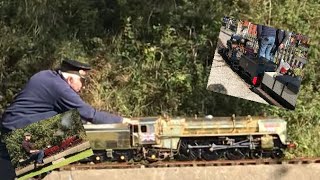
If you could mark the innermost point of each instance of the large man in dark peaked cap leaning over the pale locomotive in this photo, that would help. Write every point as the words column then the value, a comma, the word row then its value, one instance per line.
column 48, row 93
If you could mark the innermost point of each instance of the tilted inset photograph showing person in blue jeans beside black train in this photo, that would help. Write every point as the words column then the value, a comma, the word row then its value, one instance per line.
column 259, row 63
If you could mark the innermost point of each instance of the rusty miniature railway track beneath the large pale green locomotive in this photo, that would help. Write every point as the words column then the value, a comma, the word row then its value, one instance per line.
column 189, row 164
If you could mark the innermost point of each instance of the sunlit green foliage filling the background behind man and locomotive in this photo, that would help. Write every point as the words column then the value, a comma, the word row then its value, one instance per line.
column 150, row 56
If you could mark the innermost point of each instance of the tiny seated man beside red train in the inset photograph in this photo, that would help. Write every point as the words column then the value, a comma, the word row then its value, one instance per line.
column 33, row 154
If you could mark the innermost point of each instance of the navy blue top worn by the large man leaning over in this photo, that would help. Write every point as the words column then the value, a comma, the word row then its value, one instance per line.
column 48, row 94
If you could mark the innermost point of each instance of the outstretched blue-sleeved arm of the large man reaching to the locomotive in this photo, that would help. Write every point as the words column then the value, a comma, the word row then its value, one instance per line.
column 71, row 100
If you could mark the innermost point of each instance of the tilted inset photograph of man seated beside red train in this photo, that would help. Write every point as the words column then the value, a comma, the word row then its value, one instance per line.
column 48, row 144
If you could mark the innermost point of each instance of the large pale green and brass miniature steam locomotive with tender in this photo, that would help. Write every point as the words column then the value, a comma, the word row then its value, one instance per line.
column 156, row 139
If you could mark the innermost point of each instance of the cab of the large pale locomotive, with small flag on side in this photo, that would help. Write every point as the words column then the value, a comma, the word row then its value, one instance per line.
column 143, row 131
